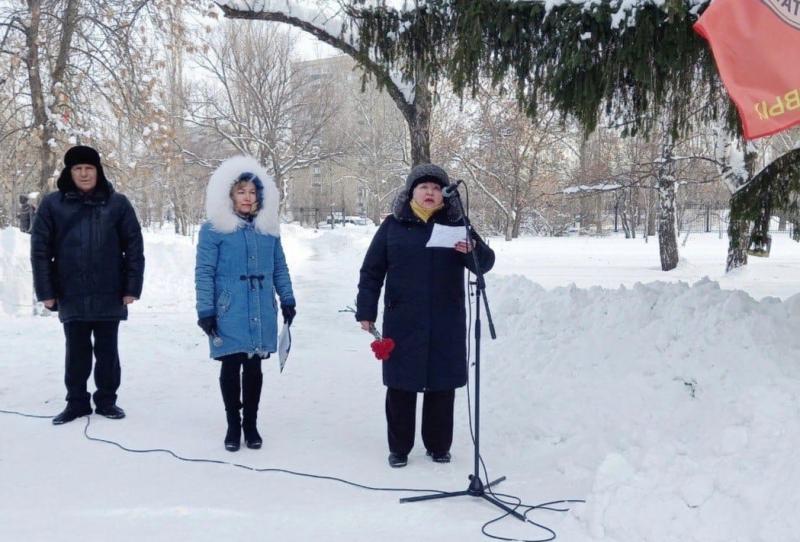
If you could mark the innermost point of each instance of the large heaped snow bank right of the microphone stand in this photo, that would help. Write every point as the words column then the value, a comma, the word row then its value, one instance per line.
column 679, row 404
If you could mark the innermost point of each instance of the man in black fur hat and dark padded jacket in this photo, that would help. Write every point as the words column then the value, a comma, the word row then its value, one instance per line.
column 88, row 264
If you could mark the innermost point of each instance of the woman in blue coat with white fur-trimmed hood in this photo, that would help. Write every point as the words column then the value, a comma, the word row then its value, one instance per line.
column 239, row 270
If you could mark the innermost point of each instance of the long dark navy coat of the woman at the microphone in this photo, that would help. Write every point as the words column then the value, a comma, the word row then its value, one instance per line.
column 424, row 309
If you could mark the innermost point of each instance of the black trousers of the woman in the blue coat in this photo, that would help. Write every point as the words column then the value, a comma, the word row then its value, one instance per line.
column 241, row 376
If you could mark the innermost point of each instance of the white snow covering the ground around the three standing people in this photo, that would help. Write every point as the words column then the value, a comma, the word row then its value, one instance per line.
column 672, row 407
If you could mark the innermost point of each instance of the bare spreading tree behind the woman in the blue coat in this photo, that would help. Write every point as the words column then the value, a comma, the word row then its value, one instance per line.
column 257, row 101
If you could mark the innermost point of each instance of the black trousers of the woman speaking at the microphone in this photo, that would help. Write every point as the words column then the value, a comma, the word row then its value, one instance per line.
column 437, row 420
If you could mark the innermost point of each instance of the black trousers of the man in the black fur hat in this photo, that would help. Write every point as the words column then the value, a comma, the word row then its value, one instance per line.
column 79, row 362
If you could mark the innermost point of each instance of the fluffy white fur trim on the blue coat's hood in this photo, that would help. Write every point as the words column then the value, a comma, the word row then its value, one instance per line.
column 219, row 206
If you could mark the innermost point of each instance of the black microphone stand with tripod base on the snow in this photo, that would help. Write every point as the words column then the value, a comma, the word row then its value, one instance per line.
column 477, row 488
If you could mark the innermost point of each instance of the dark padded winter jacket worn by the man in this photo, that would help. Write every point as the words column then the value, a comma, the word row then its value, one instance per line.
column 87, row 252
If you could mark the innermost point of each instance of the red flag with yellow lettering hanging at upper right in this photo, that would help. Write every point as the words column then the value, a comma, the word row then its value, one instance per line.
column 755, row 45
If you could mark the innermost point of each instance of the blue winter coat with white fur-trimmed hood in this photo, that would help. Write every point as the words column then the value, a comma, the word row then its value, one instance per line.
column 241, row 266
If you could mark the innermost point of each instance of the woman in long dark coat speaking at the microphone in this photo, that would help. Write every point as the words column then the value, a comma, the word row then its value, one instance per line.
column 424, row 312
